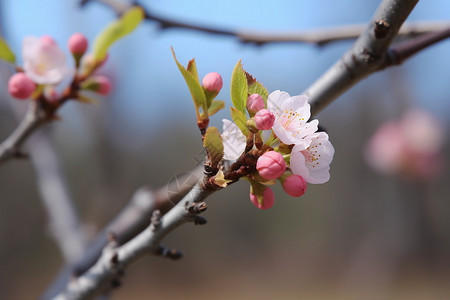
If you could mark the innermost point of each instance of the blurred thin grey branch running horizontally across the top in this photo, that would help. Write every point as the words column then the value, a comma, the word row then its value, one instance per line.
column 315, row 36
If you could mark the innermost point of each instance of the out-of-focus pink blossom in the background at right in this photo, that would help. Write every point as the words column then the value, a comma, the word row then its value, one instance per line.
column 410, row 147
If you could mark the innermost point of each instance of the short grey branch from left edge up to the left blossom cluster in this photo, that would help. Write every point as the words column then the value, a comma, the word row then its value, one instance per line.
column 10, row 148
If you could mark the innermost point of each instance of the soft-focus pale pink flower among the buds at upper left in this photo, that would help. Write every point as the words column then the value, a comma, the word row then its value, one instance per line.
column 44, row 61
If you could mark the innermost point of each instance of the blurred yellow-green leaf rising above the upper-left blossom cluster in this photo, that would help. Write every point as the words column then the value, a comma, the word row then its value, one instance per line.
column 116, row 30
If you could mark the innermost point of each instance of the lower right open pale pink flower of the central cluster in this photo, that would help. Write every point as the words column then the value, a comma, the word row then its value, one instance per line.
column 313, row 162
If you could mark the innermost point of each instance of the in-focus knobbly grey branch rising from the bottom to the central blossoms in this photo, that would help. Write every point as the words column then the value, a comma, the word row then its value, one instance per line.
column 109, row 267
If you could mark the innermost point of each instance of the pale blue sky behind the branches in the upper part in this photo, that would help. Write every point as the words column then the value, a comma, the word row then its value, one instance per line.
column 148, row 83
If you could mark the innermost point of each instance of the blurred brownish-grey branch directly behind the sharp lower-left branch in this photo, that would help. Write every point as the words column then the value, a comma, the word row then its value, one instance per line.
column 134, row 218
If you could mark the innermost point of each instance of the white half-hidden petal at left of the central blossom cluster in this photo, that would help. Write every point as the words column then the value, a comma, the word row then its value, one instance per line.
column 234, row 140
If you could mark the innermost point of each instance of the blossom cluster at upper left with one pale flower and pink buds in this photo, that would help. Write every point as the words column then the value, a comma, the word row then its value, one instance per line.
column 45, row 66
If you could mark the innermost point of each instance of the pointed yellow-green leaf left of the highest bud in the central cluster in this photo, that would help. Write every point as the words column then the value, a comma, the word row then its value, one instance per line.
column 191, row 78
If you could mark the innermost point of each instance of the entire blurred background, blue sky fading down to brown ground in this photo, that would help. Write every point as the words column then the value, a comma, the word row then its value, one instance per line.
column 362, row 235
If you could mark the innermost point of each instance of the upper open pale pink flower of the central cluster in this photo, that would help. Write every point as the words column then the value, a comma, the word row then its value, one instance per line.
column 291, row 118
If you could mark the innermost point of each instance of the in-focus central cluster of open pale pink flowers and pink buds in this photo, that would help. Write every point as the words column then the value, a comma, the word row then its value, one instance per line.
column 296, row 154
